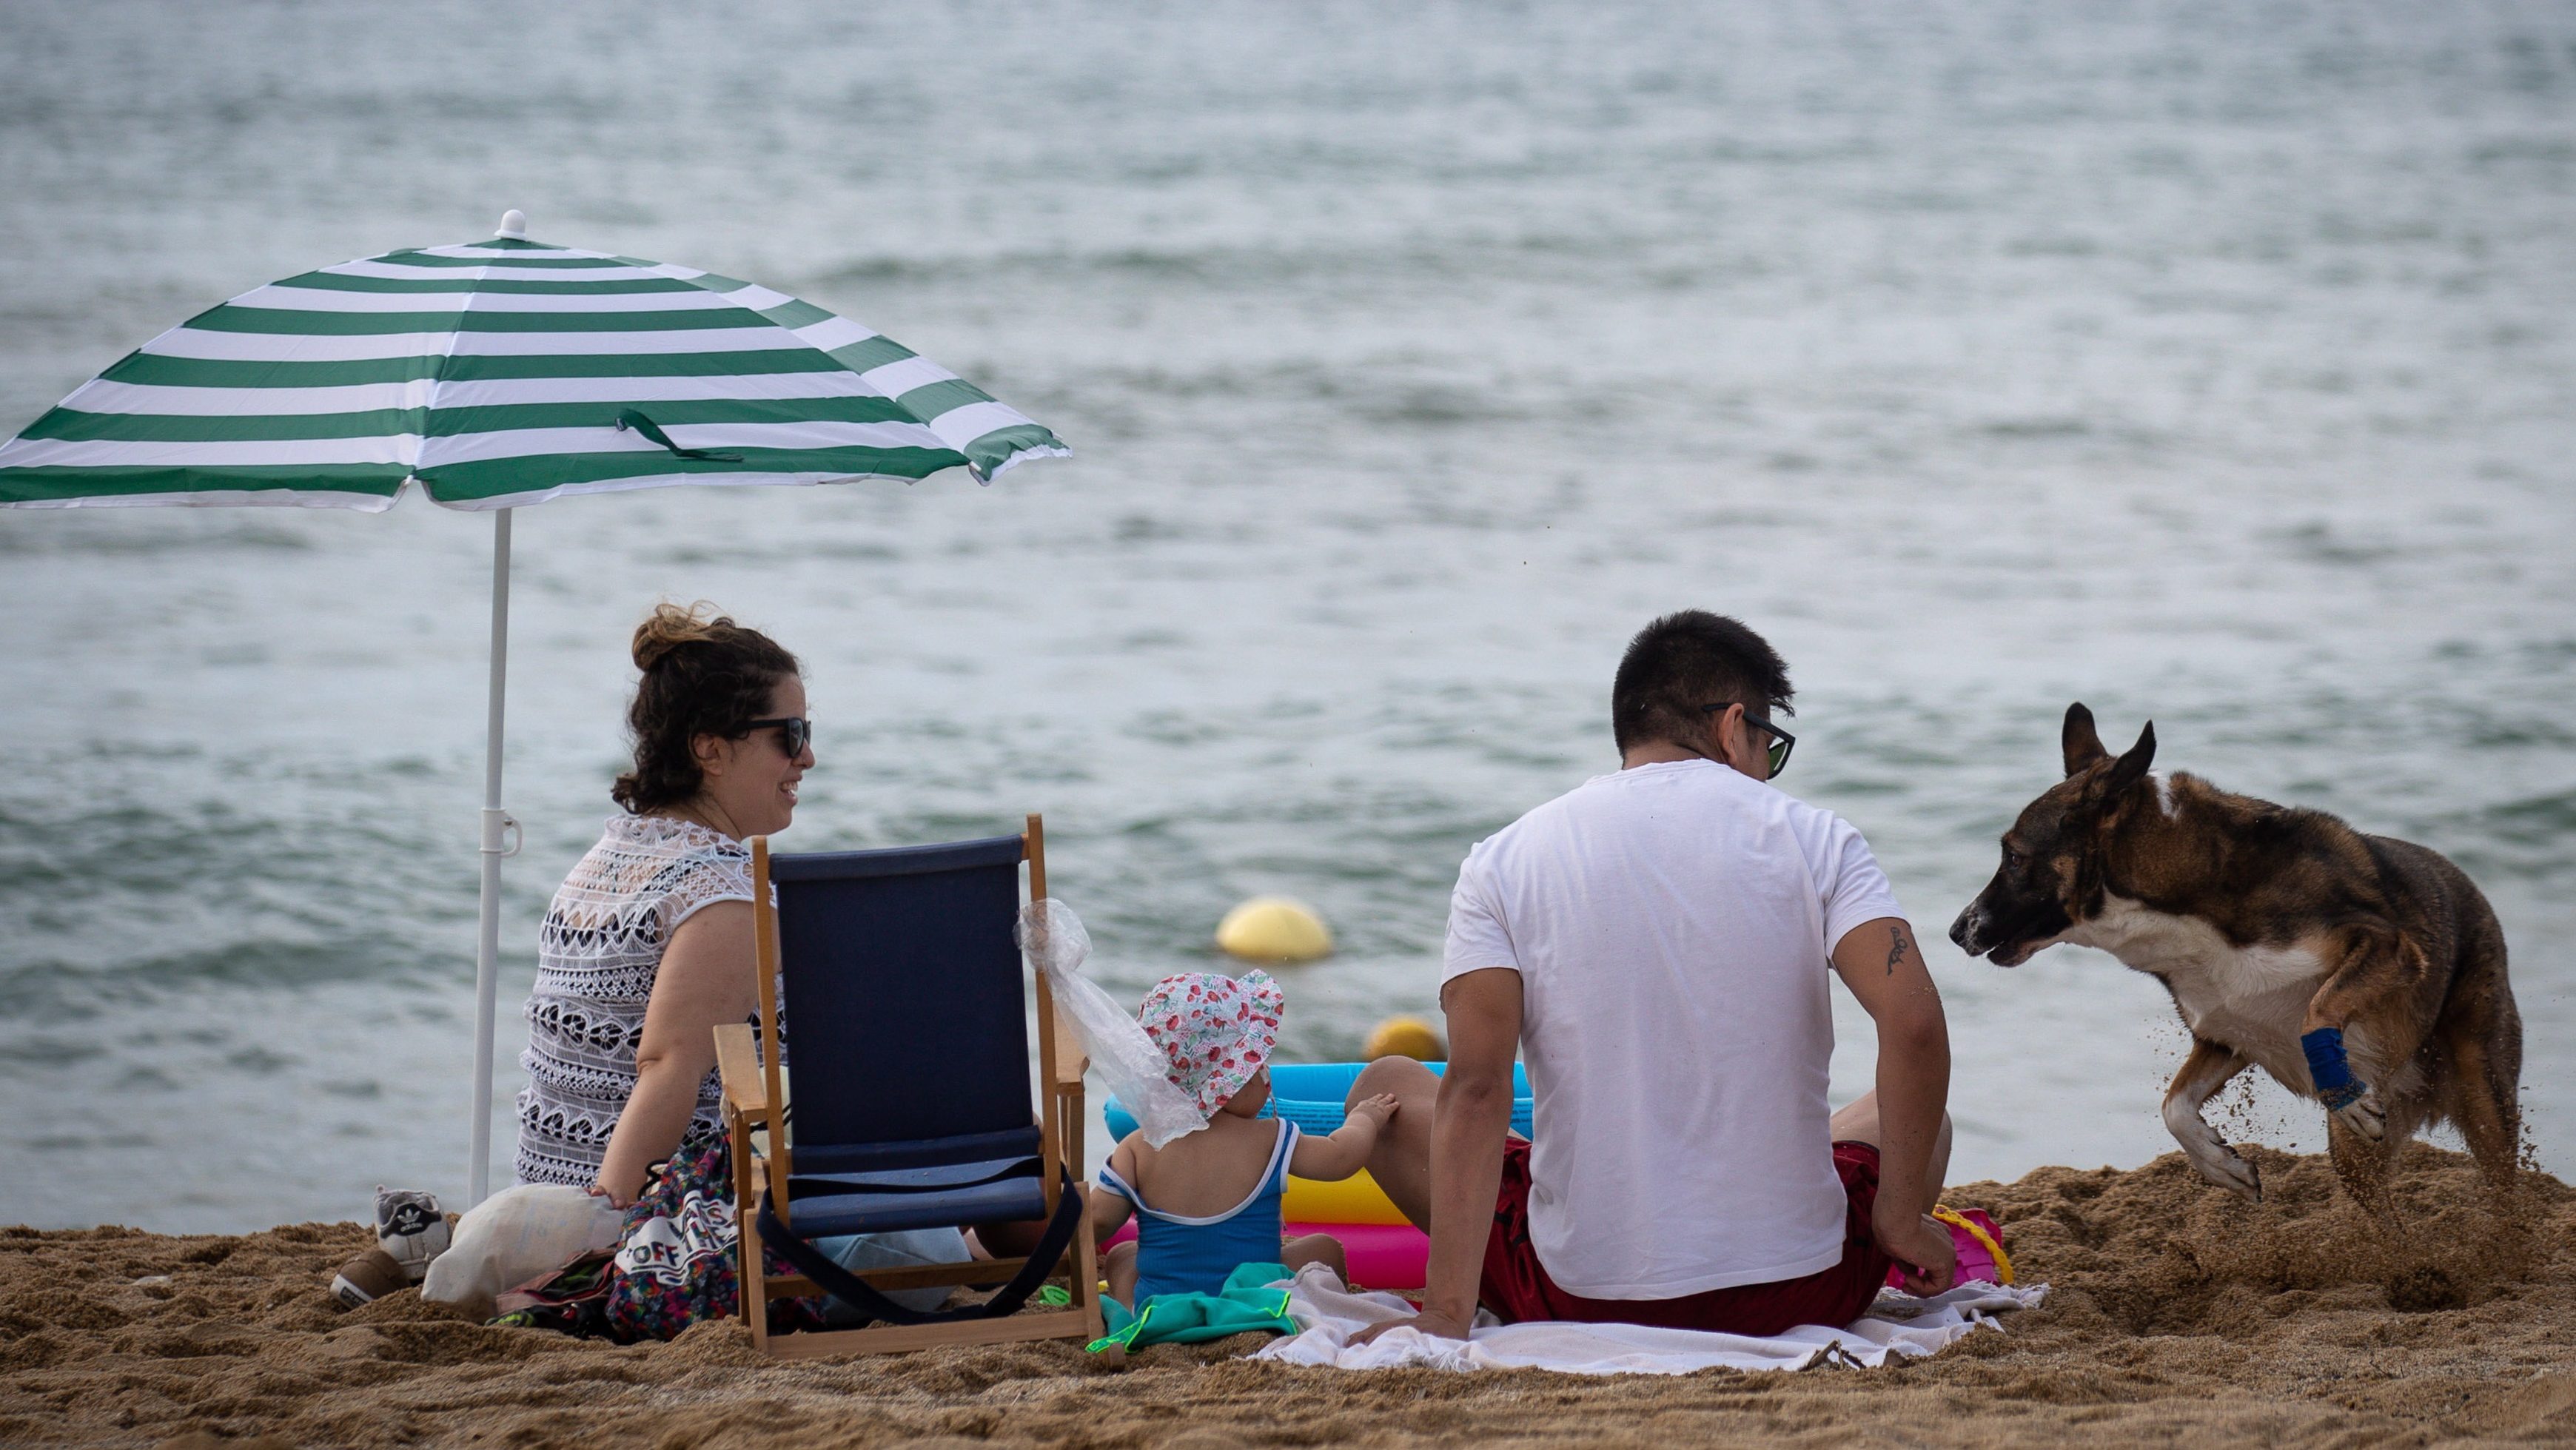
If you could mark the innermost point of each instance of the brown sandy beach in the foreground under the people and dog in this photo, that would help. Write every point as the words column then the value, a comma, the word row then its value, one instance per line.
column 2178, row 1315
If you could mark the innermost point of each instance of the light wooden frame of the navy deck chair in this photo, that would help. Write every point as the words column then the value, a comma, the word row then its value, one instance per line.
column 753, row 1086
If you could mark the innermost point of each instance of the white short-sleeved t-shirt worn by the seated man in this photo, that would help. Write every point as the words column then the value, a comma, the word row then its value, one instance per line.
column 1673, row 931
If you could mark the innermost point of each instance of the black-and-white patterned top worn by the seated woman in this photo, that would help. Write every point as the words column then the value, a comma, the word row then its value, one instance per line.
column 596, row 962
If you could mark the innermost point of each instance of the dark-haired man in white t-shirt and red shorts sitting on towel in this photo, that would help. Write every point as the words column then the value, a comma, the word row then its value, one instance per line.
column 1658, row 946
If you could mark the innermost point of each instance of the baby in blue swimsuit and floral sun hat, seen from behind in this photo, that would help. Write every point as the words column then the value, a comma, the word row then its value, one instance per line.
column 1212, row 1199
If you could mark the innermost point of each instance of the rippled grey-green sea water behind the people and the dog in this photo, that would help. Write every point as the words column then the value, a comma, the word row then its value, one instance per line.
column 2206, row 364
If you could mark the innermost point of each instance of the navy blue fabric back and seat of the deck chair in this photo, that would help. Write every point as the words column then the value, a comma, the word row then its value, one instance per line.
column 911, row 1039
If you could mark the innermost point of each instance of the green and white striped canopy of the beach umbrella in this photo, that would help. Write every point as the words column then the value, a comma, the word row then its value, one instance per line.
column 504, row 375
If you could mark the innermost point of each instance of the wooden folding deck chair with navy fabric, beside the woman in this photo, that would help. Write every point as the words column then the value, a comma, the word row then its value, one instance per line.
column 911, row 1109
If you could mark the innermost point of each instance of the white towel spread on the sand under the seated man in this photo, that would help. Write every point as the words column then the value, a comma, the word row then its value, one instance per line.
column 1897, row 1325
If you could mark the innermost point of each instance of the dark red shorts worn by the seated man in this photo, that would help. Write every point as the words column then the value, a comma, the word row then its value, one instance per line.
column 1516, row 1284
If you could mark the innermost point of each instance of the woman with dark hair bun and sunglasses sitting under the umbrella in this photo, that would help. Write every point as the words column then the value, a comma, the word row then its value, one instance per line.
column 650, row 941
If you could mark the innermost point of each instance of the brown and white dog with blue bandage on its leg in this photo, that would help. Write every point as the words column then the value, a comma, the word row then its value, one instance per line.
column 2273, row 926
